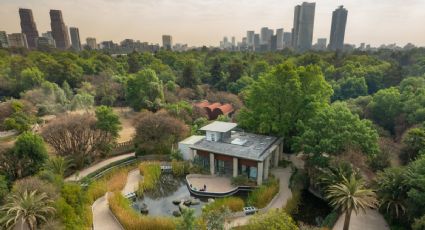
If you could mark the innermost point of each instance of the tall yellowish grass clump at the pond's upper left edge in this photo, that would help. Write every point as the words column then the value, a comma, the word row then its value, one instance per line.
column 151, row 172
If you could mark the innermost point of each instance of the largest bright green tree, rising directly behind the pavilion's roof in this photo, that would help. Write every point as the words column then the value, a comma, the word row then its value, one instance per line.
column 282, row 97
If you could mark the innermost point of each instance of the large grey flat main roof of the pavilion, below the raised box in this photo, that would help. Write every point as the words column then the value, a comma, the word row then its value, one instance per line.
column 245, row 145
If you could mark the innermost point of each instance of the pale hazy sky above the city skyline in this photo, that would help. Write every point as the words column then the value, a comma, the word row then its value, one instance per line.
column 205, row 22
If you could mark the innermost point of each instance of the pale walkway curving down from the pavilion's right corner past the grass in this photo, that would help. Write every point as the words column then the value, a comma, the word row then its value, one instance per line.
column 278, row 202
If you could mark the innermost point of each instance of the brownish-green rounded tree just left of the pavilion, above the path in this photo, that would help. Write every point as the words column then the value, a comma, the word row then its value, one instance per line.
column 157, row 133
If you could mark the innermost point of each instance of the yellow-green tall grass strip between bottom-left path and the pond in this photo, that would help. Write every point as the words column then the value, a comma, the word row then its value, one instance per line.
column 131, row 220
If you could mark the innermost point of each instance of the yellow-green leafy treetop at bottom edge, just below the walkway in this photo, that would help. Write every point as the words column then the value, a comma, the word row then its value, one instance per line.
column 273, row 219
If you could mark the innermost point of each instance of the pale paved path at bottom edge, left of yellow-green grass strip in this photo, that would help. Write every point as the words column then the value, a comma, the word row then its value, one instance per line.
column 102, row 216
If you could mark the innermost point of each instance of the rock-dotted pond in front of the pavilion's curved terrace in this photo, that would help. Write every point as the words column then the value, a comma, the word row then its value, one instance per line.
column 160, row 201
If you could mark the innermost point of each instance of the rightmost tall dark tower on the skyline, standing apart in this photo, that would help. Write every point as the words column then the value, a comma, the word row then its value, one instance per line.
column 339, row 21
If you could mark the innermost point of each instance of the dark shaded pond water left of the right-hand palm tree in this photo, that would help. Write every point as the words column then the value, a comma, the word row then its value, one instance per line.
column 312, row 210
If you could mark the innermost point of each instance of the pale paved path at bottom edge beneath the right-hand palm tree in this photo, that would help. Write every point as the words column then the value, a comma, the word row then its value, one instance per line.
column 371, row 220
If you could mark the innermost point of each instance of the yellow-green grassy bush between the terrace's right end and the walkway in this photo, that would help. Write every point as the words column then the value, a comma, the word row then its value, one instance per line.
column 262, row 195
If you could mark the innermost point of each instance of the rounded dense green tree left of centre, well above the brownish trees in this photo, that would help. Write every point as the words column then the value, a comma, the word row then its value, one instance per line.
column 144, row 91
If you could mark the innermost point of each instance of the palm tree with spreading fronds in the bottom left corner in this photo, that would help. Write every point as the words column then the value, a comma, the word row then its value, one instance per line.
column 31, row 208
